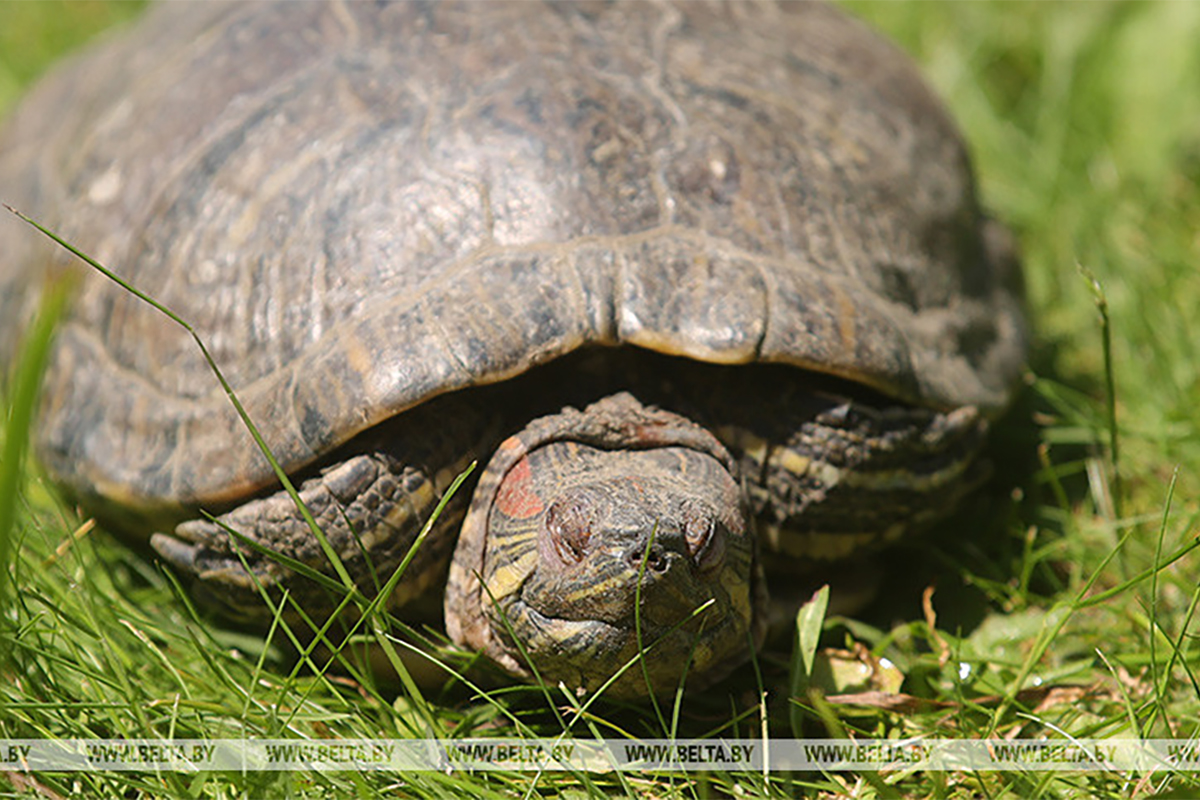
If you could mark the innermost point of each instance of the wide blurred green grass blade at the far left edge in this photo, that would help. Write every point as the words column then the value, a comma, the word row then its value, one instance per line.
column 27, row 381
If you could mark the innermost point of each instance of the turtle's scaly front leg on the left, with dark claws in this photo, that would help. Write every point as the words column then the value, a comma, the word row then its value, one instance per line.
column 371, row 508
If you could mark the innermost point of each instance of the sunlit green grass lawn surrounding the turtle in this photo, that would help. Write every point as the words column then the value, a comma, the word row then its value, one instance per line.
column 1075, row 615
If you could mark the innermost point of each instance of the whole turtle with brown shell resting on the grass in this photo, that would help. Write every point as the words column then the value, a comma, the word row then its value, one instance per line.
column 705, row 290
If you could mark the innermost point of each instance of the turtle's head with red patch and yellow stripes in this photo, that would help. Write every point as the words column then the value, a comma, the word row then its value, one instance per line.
column 607, row 537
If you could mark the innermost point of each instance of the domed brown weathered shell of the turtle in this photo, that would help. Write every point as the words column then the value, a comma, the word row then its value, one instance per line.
column 362, row 207
